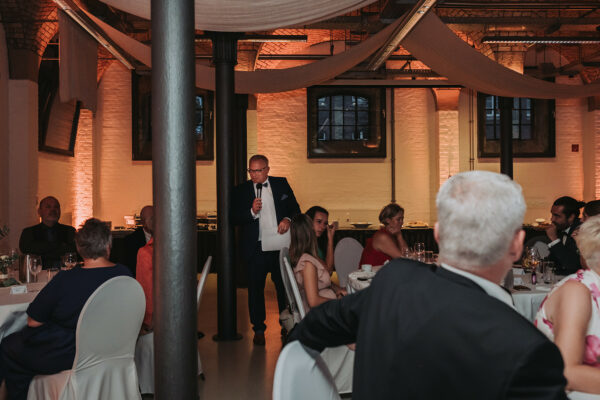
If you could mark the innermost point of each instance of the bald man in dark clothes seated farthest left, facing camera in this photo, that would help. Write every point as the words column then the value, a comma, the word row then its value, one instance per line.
column 49, row 239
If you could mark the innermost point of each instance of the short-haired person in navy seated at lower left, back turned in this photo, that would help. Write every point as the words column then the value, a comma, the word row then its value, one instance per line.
column 47, row 344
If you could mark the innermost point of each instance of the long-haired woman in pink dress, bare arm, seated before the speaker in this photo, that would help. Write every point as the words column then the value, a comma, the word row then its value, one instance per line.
column 313, row 278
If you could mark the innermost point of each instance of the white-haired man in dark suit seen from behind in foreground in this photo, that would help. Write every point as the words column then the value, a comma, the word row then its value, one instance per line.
column 448, row 332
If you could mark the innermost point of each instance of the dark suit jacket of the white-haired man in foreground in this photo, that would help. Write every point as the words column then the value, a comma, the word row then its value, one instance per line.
column 426, row 333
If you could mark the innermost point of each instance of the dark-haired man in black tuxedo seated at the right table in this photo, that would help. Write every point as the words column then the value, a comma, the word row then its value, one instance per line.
column 565, row 221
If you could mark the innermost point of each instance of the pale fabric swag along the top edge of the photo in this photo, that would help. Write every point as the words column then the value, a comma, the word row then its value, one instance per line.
column 252, row 16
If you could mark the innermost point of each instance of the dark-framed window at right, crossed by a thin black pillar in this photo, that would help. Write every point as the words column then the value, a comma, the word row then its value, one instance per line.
column 532, row 126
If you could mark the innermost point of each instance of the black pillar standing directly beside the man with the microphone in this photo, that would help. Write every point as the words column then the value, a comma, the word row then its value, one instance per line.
column 225, row 59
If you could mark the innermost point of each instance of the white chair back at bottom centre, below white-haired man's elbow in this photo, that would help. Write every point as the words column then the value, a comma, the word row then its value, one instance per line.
column 302, row 374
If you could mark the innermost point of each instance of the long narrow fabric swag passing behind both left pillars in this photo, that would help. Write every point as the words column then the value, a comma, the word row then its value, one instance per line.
column 266, row 81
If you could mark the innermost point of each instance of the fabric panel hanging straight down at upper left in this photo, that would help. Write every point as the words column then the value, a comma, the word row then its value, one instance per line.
column 78, row 63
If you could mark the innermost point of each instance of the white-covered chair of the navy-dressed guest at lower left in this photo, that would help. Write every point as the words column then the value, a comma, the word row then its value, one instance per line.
column 103, row 367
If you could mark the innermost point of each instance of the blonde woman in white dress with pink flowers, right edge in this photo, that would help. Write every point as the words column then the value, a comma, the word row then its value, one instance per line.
column 570, row 314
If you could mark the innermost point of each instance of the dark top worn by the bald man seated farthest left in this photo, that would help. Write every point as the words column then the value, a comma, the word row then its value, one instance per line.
column 35, row 240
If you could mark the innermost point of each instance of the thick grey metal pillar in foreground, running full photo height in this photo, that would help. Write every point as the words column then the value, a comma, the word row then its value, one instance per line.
column 174, row 193
